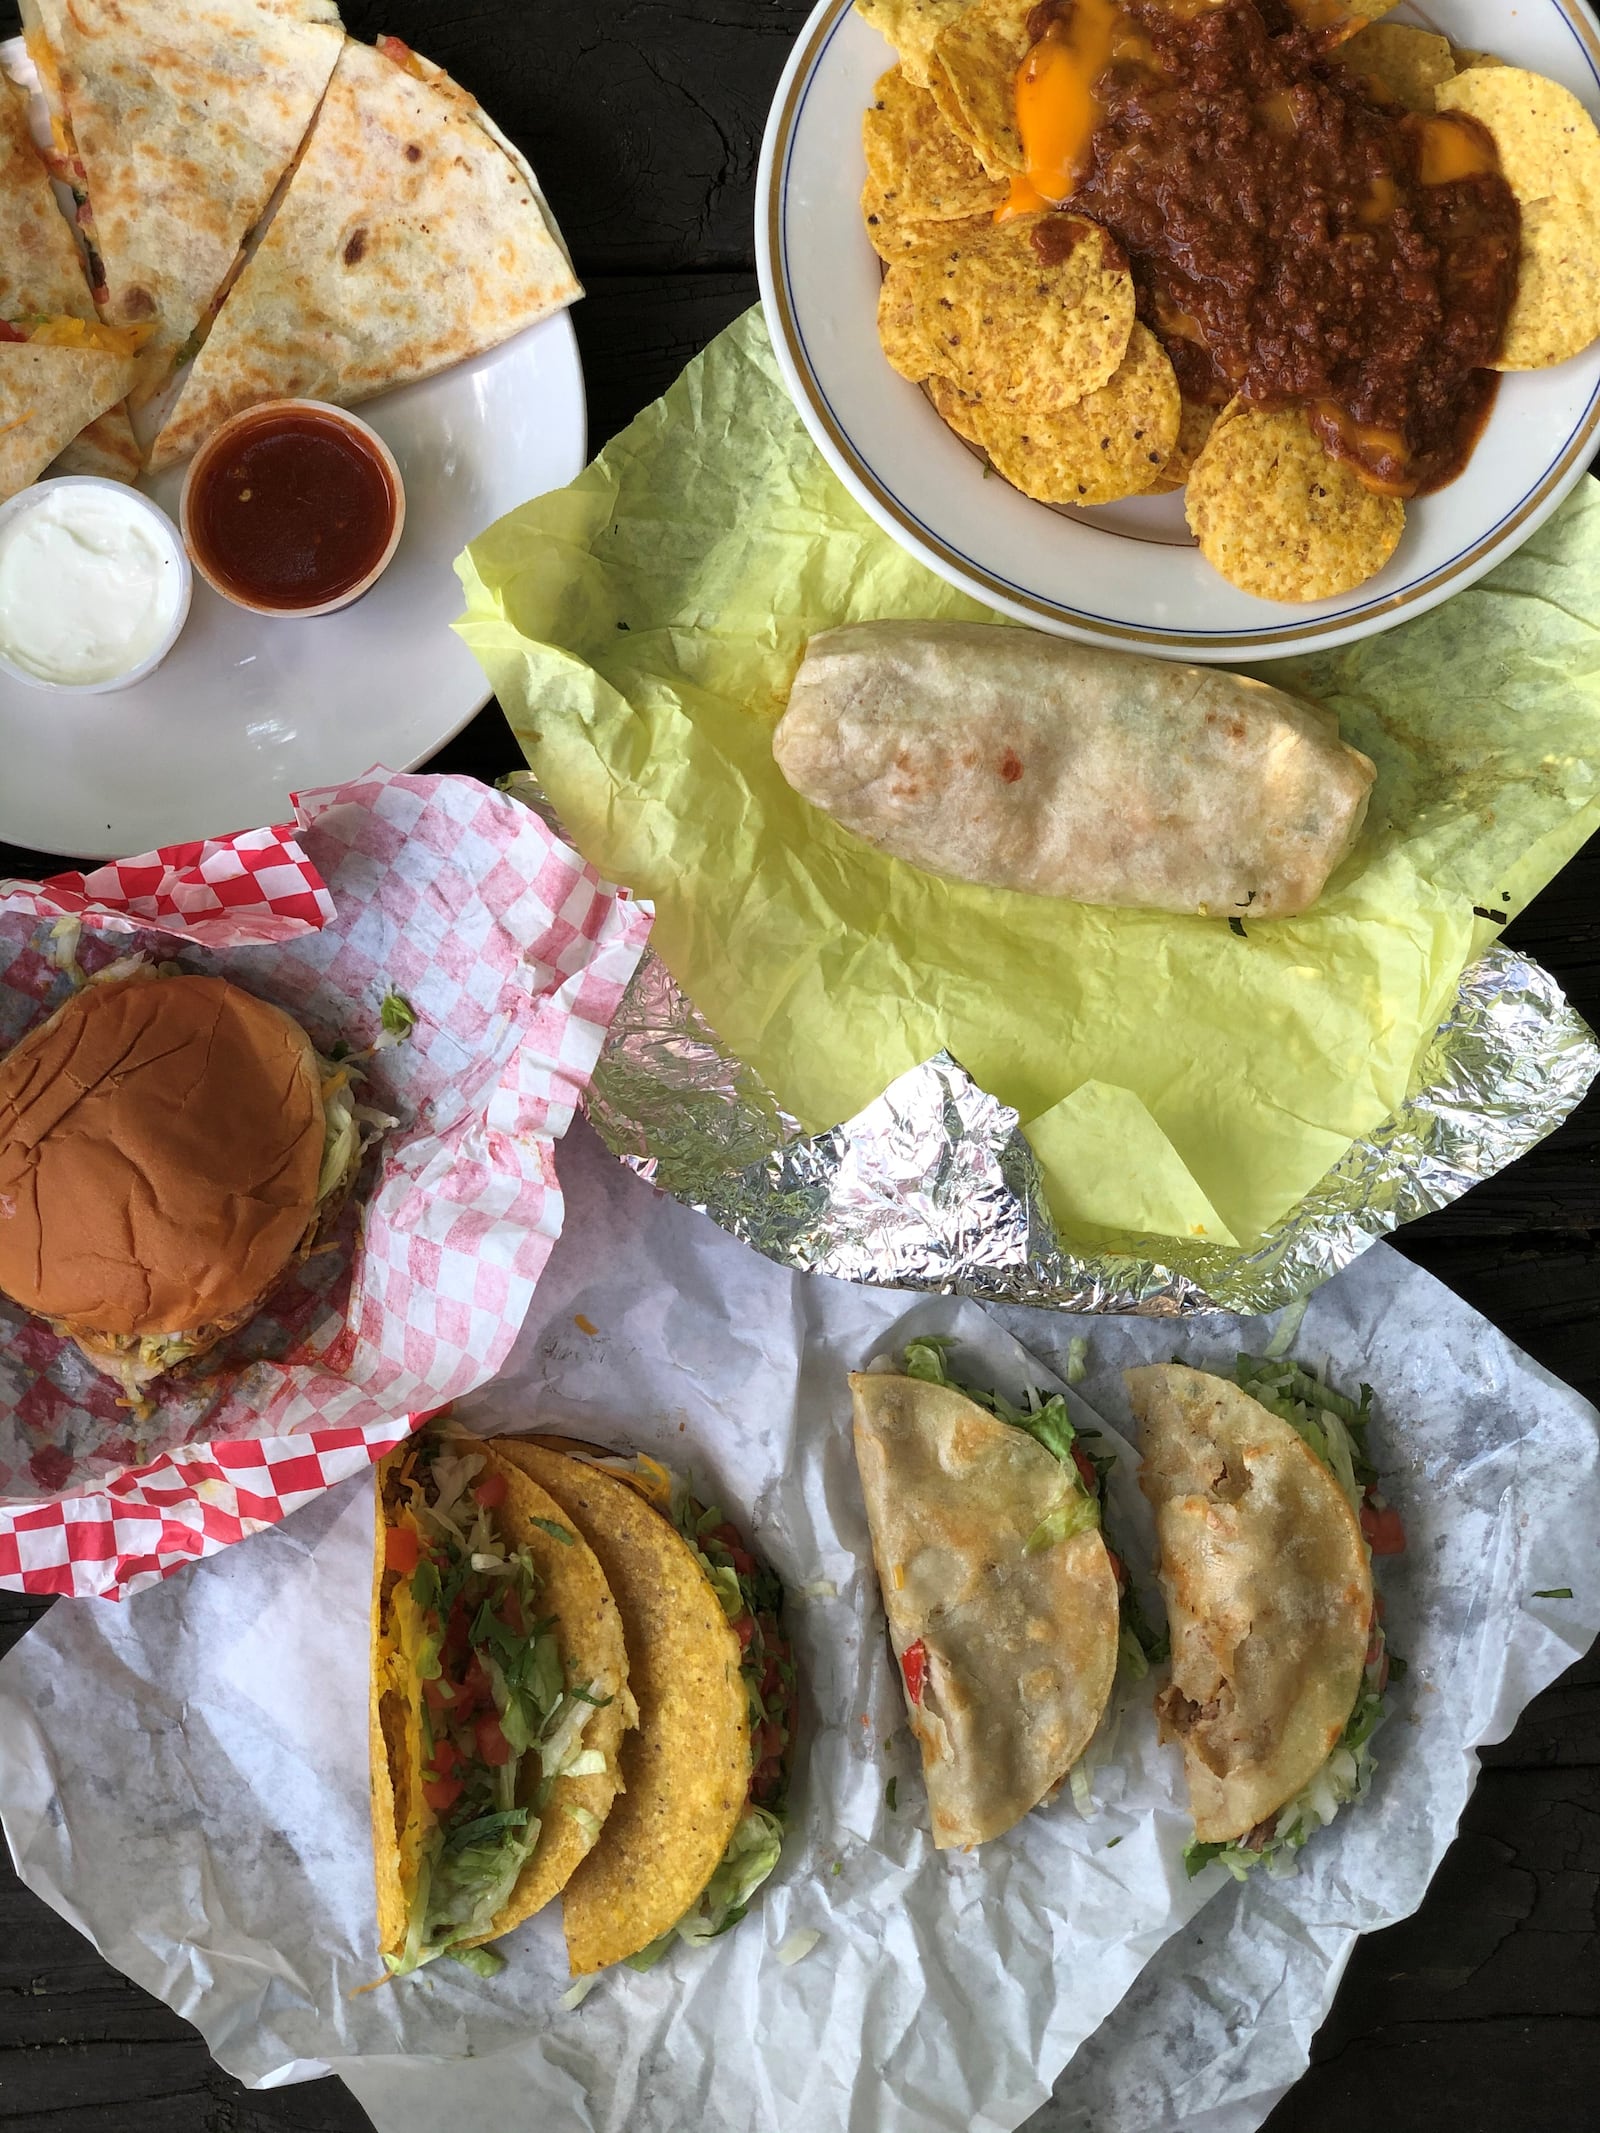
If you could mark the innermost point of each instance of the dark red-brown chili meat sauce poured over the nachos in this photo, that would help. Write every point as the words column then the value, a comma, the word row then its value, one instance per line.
column 1296, row 238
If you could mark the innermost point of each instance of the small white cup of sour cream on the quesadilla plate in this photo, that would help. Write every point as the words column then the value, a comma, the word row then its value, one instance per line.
column 95, row 586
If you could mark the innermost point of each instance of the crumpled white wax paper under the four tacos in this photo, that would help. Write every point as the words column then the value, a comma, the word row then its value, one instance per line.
column 187, row 1778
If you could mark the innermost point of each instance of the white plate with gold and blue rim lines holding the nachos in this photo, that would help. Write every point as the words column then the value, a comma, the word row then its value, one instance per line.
column 1130, row 573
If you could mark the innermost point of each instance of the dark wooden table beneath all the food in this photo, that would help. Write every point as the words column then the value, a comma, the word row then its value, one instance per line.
column 1484, row 2010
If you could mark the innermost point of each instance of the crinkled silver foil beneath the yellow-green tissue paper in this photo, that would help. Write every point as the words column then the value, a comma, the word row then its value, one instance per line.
column 935, row 1187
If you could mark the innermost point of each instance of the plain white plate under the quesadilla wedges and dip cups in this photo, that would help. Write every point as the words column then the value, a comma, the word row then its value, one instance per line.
column 244, row 709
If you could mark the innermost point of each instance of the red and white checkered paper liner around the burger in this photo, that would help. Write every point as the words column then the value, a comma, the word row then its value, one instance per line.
column 513, row 955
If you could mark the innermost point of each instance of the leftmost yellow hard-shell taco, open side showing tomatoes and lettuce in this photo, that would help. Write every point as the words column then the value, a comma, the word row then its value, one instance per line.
column 498, row 1701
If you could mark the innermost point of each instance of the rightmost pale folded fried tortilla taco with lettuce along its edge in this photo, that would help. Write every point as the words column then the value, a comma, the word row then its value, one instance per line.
column 1266, row 1513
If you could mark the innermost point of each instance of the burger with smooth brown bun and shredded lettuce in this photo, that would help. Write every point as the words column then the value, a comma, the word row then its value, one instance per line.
column 170, row 1149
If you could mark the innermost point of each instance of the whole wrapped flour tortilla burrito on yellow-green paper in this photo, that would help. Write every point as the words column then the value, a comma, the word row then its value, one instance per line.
column 1025, row 763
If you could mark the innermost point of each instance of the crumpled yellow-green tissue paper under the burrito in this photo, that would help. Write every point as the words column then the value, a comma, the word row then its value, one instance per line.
column 1177, row 1078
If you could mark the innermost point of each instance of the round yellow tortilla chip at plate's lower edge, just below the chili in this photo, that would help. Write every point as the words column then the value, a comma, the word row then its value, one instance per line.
column 1279, row 517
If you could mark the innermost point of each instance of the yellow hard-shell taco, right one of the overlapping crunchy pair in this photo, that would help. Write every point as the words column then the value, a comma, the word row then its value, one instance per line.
column 701, row 1821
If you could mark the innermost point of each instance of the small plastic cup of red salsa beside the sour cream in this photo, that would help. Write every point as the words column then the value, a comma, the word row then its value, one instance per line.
column 293, row 509
